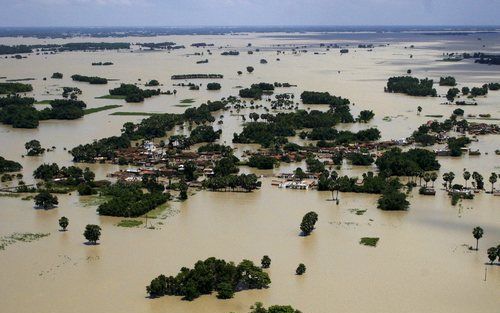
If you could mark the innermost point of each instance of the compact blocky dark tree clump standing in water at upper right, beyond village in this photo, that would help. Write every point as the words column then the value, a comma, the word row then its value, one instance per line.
column 411, row 86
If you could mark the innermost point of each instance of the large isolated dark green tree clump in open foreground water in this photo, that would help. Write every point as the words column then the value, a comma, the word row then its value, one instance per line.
column 210, row 275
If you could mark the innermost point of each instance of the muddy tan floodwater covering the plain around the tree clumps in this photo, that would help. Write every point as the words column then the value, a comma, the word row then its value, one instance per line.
column 421, row 264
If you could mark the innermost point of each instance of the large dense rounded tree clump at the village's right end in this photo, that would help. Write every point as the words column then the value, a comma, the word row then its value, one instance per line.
column 395, row 162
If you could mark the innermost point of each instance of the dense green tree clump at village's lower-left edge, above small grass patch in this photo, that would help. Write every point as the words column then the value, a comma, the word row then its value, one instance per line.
column 128, row 200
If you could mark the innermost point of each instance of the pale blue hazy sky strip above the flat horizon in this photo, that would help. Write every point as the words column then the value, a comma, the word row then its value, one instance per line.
column 247, row 12
